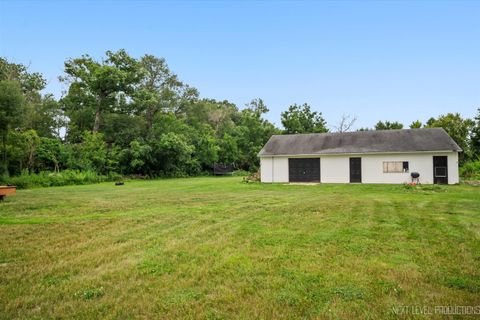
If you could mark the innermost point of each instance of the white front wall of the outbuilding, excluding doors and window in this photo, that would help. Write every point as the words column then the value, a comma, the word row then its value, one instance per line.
column 336, row 168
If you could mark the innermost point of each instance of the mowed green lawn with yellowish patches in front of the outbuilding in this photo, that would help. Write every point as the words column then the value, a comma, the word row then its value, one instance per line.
column 217, row 248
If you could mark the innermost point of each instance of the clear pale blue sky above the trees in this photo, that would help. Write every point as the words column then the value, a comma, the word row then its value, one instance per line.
column 376, row 60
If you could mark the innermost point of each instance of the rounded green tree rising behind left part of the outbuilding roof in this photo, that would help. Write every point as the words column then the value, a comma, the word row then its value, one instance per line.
column 301, row 119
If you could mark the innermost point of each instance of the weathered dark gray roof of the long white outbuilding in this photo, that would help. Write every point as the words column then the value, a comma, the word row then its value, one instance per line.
column 403, row 140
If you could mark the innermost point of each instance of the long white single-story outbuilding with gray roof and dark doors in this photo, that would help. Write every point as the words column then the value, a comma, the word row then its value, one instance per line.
column 380, row 156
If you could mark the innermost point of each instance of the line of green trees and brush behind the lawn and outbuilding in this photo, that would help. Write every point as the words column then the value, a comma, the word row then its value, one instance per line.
column 134, row 116
